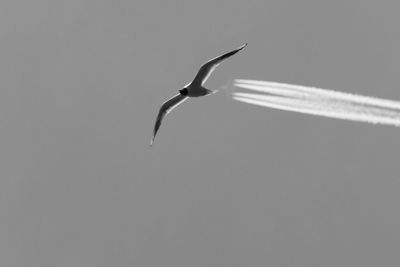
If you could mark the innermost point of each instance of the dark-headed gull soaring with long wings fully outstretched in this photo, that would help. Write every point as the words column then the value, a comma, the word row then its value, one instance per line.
column 192, row 89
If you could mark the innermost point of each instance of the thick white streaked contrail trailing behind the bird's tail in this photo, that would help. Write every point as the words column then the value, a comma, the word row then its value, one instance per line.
column 320, row 102
